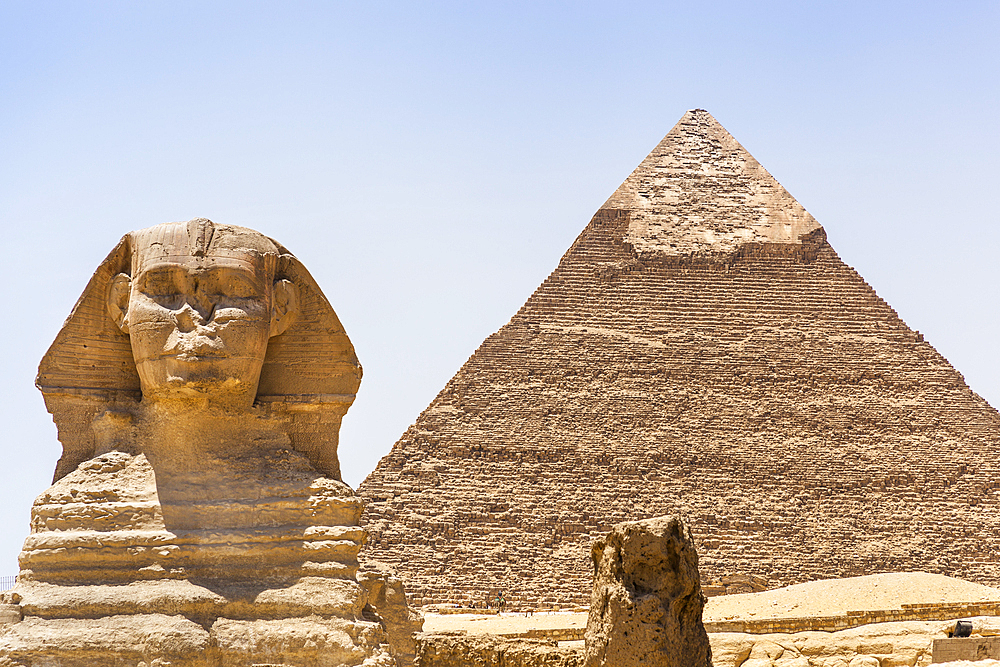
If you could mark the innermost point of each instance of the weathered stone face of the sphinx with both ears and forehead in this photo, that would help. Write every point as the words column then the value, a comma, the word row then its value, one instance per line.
column 199, row 305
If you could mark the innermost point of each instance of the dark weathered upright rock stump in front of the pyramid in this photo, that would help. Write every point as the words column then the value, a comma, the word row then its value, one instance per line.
column 646, row 605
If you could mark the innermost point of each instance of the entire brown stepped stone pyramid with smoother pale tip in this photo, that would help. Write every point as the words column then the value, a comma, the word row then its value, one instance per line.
column 700, row 350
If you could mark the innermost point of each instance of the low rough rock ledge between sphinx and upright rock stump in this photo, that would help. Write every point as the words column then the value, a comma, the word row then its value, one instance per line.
column 491, row 651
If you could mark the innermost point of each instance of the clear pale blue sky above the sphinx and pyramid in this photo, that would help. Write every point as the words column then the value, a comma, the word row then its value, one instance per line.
column 430, row 162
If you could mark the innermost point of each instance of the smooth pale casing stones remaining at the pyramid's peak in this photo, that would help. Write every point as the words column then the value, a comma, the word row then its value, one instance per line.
column 700, row 191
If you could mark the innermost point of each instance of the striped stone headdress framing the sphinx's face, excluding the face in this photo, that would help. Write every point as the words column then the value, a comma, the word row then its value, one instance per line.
column 310, row 374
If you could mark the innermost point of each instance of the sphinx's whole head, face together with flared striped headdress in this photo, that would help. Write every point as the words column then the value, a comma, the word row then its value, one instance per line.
column 194, row 315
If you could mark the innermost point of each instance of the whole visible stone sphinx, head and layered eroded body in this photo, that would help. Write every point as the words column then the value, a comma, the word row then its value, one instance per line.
column 197, row 515
